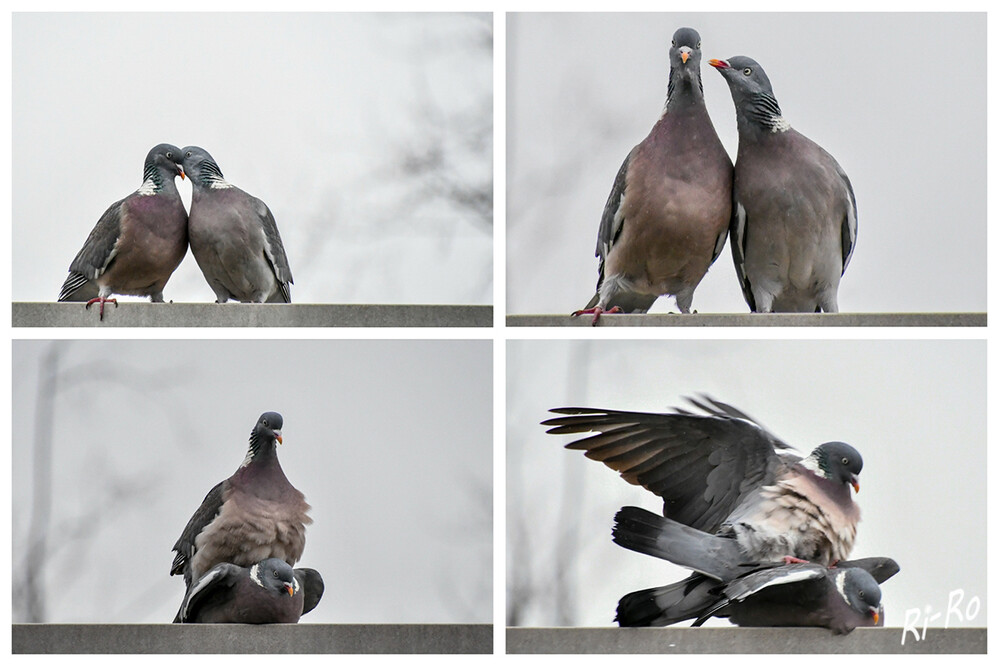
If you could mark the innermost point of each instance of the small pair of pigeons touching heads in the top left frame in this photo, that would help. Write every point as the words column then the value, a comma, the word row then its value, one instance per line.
column 139, row 241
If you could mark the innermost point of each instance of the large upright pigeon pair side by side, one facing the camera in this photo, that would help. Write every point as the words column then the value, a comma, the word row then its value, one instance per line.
column 788, row 204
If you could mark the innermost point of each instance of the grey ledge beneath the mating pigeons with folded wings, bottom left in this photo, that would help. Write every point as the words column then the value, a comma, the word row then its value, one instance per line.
column 249, row 638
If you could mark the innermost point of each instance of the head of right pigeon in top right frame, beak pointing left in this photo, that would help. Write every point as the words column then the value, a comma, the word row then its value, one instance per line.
column 755, row 104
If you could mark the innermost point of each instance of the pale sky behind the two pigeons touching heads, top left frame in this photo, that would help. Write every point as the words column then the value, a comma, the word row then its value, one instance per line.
column 315, row 114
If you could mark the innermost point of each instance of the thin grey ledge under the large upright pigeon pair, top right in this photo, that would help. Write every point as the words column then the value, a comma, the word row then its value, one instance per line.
column 762, row 320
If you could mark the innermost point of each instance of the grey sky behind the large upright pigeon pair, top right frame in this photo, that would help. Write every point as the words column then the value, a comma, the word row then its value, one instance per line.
column 898, row 99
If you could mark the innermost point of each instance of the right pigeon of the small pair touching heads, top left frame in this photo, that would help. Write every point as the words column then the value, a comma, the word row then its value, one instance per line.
column 234, row 237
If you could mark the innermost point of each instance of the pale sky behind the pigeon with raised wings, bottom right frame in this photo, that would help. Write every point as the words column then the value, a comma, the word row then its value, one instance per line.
column 916, row 410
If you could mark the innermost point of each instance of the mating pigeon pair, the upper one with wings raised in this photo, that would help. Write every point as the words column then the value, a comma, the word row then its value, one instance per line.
column 766, row 533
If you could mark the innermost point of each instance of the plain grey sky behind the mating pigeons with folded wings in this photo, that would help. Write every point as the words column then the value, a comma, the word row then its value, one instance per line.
column 391, row 442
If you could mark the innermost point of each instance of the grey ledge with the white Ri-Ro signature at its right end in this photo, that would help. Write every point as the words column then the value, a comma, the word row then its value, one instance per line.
column 740, row 640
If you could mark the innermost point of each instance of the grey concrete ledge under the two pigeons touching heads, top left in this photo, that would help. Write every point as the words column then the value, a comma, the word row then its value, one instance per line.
column 139, row 314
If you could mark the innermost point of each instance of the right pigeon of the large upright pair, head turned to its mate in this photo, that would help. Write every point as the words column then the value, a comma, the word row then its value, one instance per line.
column 795, row 219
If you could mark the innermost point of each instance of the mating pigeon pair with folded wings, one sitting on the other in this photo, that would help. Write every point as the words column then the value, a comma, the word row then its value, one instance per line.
column 237, row 551
